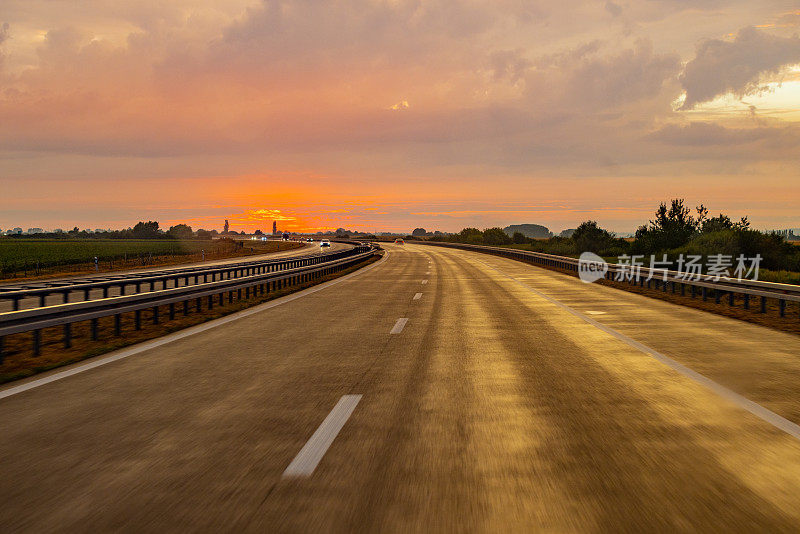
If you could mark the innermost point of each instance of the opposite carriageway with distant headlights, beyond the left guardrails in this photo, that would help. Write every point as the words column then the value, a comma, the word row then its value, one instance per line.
column 7, row 305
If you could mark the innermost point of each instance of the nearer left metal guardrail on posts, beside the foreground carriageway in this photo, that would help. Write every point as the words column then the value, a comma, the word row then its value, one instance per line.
column 265, row 281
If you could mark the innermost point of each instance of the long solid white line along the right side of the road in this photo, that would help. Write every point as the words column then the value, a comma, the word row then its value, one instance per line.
column 759, row 411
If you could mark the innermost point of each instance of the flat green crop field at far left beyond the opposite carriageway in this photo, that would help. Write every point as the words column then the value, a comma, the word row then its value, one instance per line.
column 27, row 258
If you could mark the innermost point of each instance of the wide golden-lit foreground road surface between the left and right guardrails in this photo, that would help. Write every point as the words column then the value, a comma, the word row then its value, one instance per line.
column 492, row 408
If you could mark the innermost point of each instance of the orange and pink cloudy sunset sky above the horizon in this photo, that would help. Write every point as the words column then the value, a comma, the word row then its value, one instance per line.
column 388, row 115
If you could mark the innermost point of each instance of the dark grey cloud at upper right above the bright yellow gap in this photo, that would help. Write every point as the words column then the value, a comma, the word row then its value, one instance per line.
column 736, row 66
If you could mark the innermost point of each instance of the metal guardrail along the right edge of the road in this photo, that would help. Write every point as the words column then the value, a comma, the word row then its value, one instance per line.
column 663, row 279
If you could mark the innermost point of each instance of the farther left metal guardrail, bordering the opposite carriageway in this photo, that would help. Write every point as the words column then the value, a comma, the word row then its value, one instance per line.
column 163, row 277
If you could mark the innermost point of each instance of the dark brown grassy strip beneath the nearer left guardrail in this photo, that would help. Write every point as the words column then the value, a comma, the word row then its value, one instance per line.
column 19, row 361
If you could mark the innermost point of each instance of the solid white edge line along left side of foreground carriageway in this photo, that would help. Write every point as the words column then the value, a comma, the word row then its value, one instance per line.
column 192, row 330
